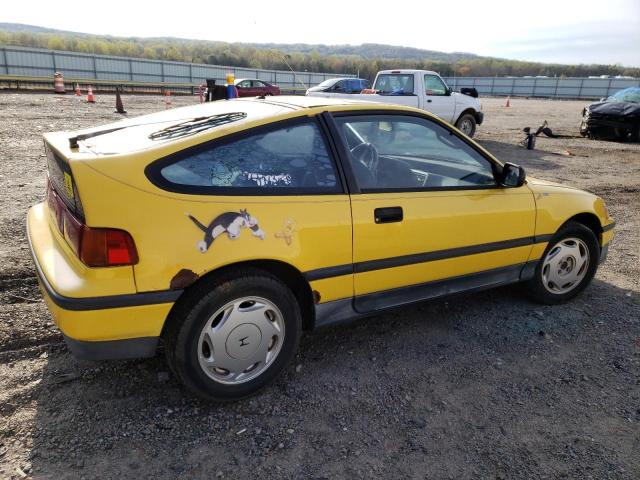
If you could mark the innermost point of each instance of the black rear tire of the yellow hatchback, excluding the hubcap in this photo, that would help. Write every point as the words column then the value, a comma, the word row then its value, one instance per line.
column 182, row 336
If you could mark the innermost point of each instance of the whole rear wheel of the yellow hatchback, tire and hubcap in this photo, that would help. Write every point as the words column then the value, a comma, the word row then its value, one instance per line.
column 233, row 335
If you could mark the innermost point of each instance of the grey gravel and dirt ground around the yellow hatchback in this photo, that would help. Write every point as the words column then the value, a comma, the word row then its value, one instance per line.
column 488, row 385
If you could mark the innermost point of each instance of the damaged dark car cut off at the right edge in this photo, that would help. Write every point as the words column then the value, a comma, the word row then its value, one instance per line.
column 614, row 118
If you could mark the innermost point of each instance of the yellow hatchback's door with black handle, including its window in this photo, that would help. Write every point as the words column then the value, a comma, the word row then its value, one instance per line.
column 429, row 217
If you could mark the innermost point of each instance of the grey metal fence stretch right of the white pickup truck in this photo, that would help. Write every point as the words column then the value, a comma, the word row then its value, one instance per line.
column 588, row 88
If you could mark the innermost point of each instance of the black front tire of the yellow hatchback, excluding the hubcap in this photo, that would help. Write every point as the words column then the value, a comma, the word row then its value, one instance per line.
column 535, row 288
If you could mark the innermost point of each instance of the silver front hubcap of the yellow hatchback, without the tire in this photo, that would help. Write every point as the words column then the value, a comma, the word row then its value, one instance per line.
column 565, row 265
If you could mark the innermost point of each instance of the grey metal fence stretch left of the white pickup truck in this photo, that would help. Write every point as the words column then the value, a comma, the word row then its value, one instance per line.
column 37, row 62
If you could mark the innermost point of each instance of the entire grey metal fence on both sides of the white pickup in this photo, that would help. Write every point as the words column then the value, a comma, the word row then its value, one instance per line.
column 38, row 63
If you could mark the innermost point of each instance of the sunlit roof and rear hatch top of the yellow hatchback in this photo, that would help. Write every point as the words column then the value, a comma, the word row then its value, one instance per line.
column 133, row 135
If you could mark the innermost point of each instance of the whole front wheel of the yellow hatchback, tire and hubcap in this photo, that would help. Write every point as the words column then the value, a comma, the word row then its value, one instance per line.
column 567, row 266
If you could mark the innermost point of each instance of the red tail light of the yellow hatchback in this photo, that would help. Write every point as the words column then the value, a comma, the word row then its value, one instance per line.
column 95, row 247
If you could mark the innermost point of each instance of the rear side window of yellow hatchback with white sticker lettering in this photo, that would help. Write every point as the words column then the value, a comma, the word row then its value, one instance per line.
column 292, row 158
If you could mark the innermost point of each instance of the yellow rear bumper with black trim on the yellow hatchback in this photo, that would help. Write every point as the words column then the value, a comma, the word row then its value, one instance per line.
column 115, row 326
